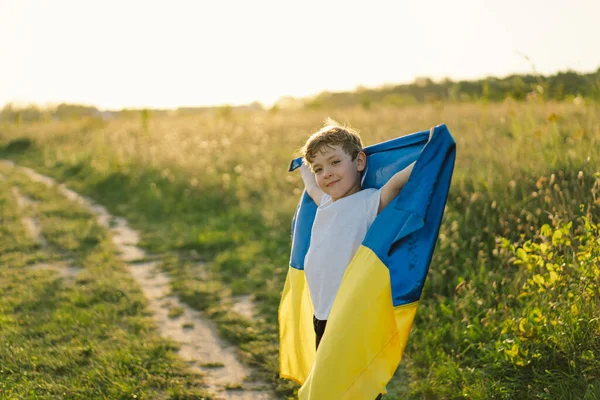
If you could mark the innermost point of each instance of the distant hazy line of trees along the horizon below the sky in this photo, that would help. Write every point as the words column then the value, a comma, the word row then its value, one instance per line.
column 562, row 86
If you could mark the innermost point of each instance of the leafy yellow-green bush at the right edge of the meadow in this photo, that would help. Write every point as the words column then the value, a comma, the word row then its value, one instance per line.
column 555, row 329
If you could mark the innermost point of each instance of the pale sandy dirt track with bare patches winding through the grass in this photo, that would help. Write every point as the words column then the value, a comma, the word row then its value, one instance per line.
column 200, row 345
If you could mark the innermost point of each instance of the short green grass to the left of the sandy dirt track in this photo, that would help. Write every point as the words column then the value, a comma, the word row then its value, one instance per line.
column 89, row 337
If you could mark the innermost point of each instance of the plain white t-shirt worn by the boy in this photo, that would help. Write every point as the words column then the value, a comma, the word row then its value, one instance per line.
column 337, row 232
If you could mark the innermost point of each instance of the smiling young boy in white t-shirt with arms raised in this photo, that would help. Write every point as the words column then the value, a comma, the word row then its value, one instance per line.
column 345, row 211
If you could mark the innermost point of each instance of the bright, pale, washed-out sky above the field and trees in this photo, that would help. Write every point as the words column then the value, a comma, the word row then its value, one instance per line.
column 167, row 54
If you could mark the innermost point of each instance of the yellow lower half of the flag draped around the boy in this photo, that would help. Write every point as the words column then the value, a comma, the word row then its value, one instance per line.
column 364, row 339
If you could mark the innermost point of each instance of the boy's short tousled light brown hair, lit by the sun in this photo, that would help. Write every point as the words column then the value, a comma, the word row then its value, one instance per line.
column 332, row 134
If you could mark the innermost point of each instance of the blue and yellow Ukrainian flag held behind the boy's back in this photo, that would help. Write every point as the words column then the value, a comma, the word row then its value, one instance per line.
column 374, row 309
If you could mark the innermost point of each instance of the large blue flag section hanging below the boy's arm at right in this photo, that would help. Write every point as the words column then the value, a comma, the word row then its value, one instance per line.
column 404, row 234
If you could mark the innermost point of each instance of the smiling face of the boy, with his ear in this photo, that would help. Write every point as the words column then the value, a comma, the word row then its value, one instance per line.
column 336, row 173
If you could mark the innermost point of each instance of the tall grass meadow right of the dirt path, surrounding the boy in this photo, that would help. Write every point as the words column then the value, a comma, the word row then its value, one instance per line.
column 510, row 306
